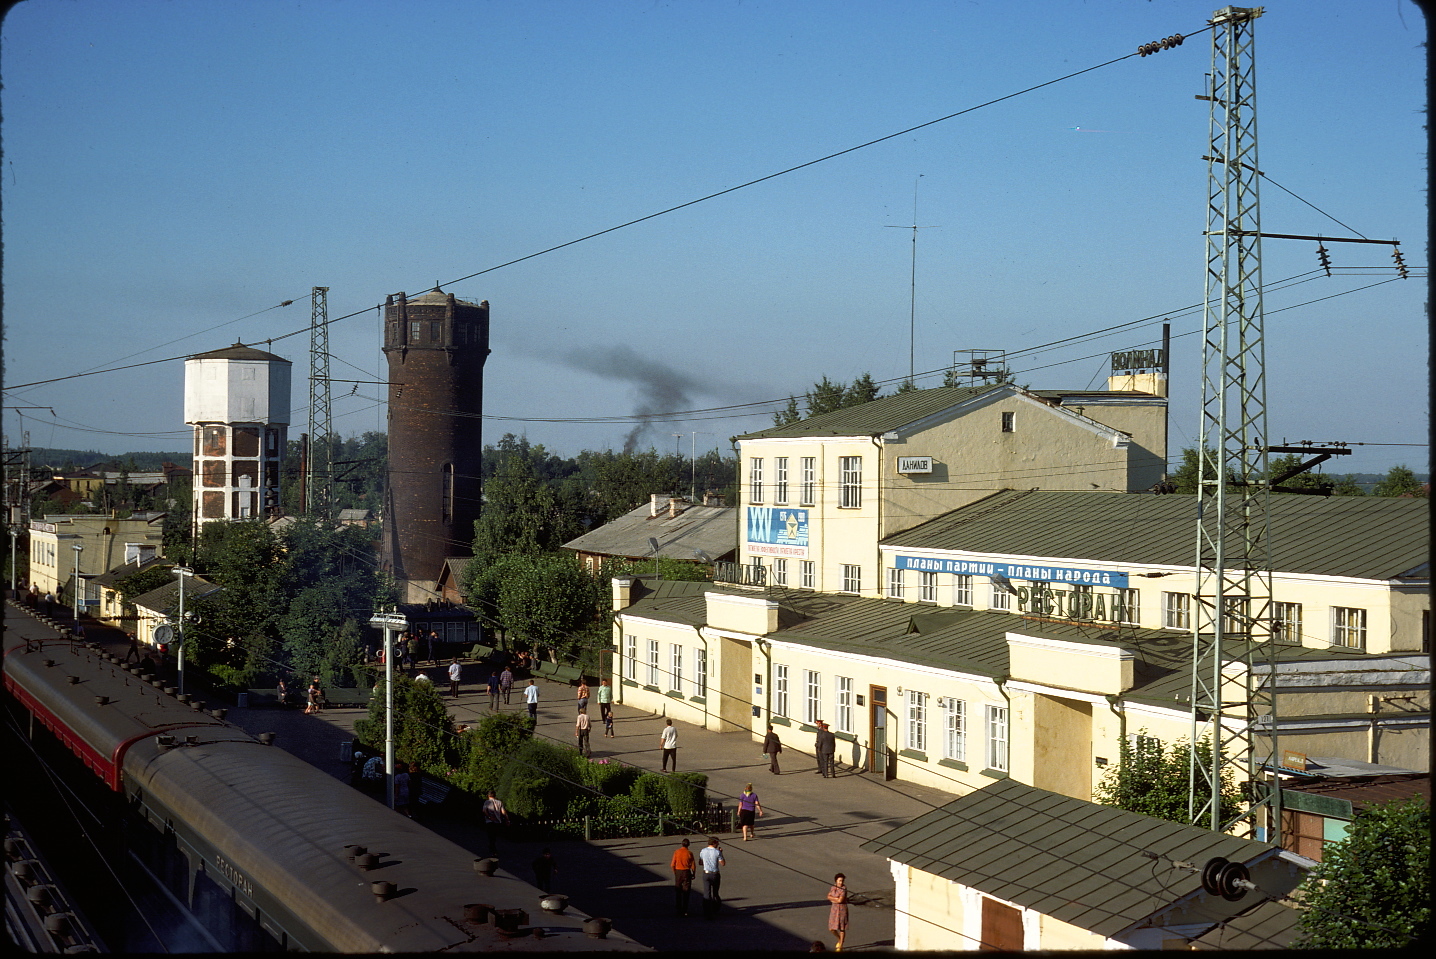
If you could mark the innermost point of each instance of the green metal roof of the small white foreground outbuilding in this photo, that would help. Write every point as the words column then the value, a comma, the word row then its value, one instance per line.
column 1068, row 859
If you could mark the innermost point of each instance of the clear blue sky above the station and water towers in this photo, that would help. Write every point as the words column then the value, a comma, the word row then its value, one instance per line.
column 173, row 167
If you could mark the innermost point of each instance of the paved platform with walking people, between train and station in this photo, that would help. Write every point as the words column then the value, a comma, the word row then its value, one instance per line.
column 775, row 888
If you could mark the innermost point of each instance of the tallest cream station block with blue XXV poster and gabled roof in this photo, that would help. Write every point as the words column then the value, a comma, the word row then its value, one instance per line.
column 821, row 495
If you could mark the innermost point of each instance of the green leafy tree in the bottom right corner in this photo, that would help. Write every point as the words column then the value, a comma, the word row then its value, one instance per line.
column 1372, row 889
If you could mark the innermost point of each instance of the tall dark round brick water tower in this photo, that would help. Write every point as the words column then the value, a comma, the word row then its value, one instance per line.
column 437, row 347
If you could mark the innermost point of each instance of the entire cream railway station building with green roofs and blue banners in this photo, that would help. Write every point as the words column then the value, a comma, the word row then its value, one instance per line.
column 954, row 634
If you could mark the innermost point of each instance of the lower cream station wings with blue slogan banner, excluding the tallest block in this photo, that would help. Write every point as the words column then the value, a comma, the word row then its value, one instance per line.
column 989, row 658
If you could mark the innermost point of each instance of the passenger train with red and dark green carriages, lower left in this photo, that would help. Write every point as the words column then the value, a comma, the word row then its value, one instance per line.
column 266, row 851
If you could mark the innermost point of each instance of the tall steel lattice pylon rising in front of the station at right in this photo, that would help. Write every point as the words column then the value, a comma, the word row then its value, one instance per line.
column 1233, row 668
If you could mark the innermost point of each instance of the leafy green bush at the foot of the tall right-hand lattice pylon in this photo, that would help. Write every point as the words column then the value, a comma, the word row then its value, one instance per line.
column 1155, row 780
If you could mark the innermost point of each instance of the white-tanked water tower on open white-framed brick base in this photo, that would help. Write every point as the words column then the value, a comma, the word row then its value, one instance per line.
column 238, row 401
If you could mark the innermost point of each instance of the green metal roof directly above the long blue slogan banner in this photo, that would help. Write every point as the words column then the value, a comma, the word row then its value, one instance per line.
column 1362, row 538
